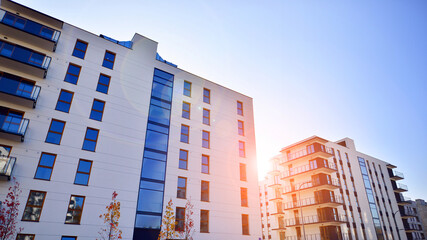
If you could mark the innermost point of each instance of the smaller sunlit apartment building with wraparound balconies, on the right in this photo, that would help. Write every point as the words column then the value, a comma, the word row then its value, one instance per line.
column 318, row 189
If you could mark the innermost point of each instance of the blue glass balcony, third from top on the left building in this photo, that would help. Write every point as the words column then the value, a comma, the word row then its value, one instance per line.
column 18, row 90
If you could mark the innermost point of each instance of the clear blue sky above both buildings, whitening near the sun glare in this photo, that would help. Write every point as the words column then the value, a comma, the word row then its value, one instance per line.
column 334, row 69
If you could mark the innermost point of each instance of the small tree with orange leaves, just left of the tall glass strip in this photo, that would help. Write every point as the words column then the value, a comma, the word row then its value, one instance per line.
column 111, row 220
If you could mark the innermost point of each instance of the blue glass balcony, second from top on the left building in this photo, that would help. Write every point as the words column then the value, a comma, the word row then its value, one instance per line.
column 23, row 59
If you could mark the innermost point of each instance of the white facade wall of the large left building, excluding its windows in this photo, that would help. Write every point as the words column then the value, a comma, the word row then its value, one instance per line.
column 117, row 160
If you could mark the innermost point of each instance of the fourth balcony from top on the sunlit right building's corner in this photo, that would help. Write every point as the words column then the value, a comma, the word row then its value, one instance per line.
column 308, row 202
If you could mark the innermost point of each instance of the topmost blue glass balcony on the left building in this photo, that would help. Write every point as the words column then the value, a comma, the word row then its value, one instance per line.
column 28, row 31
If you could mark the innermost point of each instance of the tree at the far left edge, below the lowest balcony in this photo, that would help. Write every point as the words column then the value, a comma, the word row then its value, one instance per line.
column 9, row 212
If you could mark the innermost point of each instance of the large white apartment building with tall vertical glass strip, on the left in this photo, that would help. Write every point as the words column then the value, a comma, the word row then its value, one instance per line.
column 82, row 116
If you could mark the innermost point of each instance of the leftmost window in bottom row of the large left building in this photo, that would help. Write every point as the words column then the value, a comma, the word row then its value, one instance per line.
column 34, row 206
